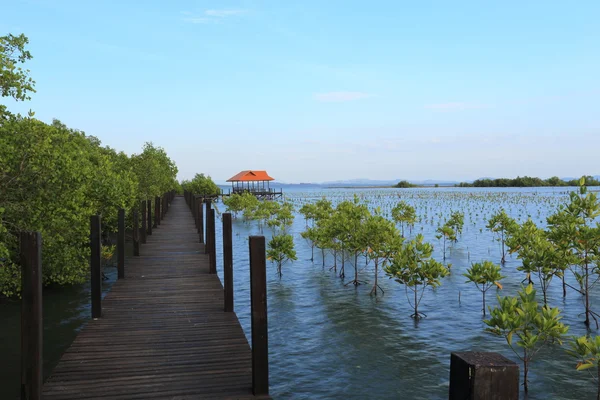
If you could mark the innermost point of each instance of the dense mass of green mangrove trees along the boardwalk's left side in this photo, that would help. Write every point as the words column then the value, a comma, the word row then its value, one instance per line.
column 52, row 179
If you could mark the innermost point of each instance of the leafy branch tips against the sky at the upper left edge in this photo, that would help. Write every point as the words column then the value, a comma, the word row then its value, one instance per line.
column 14, row 80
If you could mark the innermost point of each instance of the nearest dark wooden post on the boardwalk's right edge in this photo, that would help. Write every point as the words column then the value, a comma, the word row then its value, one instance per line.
column 258, row 305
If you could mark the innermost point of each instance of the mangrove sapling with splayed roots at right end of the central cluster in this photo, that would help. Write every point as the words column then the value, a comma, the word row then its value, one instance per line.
column 384, row 241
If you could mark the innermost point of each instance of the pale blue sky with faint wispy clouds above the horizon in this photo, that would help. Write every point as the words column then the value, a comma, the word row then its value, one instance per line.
column 325, row 90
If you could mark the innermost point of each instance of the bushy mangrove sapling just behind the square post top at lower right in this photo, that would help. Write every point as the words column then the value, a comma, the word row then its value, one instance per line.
column 534, row 326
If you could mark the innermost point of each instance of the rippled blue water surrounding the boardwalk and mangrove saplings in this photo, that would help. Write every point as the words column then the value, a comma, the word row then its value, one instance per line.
column 327, row 340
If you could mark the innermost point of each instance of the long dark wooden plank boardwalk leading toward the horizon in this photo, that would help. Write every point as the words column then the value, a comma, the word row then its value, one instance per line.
column 163, row 333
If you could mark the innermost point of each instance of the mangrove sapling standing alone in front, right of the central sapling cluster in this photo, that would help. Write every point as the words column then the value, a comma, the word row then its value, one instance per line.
column 413, row 267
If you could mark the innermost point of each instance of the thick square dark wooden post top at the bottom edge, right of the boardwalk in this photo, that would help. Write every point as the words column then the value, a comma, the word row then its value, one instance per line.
column 480, row 375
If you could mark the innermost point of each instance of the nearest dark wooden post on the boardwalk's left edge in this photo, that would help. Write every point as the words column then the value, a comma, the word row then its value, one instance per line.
column 32, row 328
